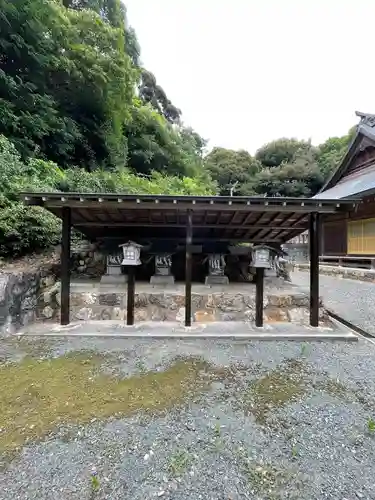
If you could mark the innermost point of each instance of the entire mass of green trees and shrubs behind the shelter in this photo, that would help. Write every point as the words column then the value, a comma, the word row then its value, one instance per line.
column 79, row 112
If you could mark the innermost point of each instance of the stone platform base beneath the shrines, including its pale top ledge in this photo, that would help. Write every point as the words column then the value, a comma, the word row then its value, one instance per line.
column 234, row 302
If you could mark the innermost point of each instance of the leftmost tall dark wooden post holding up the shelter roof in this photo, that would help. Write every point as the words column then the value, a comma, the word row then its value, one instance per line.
column 65, row 266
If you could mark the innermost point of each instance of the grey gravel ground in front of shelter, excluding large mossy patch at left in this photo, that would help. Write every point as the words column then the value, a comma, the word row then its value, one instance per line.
column 278, row 420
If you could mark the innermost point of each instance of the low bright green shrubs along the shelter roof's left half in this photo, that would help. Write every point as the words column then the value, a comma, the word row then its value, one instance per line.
column 28, row 229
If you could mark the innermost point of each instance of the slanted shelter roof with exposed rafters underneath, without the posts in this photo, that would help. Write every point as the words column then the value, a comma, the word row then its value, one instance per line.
column 145, row 218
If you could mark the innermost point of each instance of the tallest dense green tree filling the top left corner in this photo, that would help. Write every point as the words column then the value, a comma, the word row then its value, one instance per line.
column 66, row 83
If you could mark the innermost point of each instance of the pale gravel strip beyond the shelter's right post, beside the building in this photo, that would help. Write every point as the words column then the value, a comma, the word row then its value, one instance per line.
column 351, row 299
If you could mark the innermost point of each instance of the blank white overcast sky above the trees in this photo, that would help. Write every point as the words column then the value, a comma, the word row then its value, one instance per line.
column 245, row 72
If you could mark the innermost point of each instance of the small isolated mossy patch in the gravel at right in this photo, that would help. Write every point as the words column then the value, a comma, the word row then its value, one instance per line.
column 275, row 390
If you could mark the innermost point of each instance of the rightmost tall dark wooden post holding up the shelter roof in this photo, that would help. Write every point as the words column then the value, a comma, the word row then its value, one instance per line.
column 314, row 238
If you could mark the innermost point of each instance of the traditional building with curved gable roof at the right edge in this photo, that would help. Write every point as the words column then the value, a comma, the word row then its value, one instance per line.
column 352, row 235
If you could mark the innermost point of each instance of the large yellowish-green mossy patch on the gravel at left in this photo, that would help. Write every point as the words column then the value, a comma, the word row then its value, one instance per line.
column 38, row 395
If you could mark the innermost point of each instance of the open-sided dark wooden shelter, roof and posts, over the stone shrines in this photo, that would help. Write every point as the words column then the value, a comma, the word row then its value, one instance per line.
column 188, row 220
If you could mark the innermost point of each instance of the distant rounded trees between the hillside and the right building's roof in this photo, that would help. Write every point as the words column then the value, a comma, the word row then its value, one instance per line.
column 285, row 167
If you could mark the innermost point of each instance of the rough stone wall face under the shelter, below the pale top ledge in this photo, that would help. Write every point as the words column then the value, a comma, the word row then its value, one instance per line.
column 99, row 305
